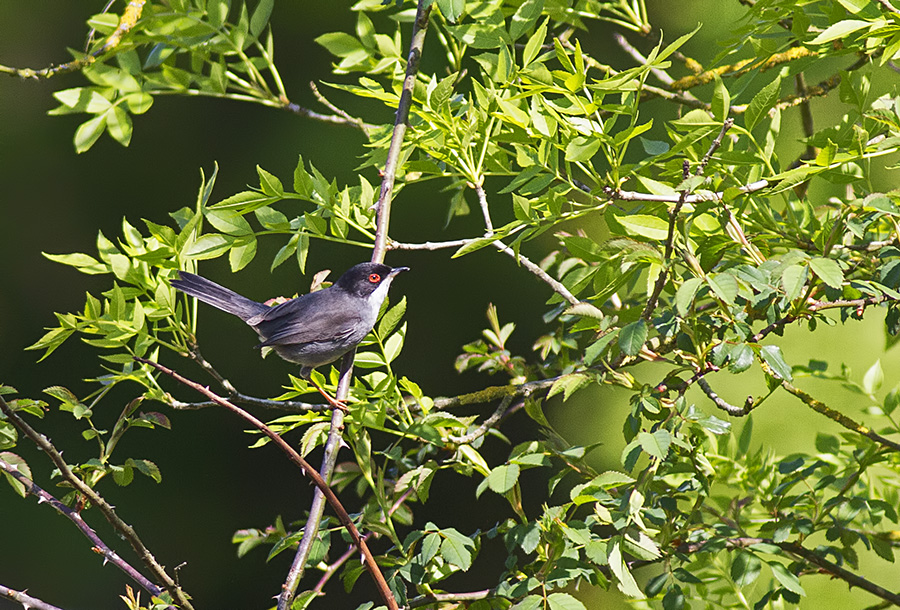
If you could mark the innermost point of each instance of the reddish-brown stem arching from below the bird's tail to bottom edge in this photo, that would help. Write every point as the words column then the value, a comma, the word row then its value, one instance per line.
column 296, row 459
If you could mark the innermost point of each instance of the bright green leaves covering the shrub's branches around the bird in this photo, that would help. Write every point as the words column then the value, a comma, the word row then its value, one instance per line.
column 716, row 237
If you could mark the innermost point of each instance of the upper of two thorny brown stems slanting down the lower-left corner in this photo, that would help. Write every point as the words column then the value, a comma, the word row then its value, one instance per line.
column 123, row 529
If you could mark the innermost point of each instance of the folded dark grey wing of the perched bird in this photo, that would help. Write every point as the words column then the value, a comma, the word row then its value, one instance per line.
column 307, row 319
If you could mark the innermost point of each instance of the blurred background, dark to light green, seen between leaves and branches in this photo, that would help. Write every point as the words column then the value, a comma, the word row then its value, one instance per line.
column 54, row 200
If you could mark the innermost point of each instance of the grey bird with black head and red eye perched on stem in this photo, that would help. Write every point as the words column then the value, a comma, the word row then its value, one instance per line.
column 310, row 330
